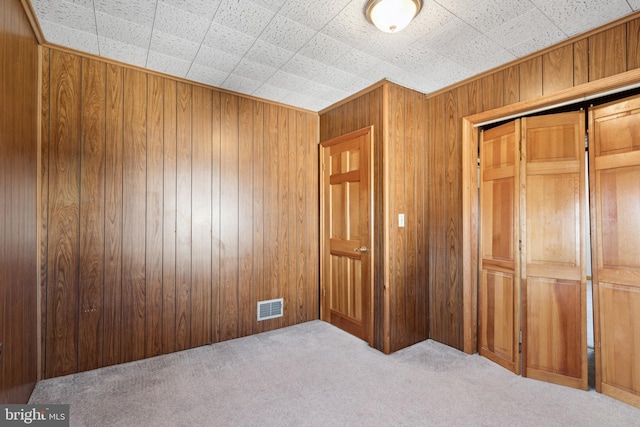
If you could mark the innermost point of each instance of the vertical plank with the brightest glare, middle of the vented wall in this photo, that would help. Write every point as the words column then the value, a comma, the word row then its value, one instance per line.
column 201, row 199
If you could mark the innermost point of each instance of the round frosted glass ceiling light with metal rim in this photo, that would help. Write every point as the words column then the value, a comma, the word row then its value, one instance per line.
column 392, row 16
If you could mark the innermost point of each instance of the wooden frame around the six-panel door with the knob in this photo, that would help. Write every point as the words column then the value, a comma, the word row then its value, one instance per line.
column 371, row 245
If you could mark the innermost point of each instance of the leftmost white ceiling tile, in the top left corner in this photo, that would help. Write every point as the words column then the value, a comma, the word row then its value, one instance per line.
column 66, row 14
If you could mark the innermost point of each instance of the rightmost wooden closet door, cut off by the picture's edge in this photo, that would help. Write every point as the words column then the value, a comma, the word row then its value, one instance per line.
column 615, row 186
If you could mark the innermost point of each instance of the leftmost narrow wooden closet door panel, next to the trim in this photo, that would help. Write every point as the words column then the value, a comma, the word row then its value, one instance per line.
column 499, row 289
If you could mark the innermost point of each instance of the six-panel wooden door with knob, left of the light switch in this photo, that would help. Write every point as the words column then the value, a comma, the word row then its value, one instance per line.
column 346, row 229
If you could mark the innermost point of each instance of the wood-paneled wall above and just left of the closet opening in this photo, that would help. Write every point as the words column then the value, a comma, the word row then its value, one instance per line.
column 605, row 52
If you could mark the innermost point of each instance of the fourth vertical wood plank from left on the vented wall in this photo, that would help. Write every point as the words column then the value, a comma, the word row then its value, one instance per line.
column 134, row 212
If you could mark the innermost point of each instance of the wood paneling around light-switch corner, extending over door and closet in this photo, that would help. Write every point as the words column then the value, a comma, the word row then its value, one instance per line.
column 425, row 172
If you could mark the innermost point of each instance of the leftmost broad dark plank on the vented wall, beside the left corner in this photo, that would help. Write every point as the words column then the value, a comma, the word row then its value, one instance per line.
column 64, row 212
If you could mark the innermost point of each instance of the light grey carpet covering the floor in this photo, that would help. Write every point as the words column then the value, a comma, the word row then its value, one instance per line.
column 314, row 374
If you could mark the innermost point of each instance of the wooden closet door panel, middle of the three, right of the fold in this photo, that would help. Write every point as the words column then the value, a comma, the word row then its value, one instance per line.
column 554, row 269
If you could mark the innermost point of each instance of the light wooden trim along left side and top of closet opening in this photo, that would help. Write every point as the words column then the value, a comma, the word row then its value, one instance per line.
column 470, row 211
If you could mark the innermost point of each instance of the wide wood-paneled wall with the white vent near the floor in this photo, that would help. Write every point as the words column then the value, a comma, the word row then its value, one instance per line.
column 169, row 210
